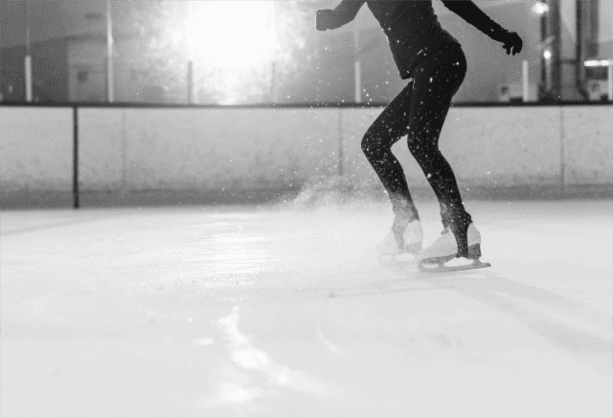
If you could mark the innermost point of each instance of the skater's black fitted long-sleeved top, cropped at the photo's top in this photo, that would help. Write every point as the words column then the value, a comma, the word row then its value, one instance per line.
column 412, row 27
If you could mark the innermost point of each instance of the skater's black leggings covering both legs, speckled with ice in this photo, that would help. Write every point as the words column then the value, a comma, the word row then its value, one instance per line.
column 419, row 111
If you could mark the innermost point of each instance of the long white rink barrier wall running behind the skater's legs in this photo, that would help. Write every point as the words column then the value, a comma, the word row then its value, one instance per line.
column 120, row 149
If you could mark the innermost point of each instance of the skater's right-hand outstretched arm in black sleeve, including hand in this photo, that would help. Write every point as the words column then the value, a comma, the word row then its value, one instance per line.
column 471, row 13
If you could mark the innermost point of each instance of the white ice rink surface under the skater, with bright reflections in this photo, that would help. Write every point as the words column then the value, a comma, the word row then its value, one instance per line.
column 244, row 311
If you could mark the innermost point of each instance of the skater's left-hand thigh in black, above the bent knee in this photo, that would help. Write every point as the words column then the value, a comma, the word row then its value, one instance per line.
column 393, row 123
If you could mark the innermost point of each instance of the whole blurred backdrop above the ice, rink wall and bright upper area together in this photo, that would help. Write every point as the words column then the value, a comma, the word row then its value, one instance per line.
column 128, row 102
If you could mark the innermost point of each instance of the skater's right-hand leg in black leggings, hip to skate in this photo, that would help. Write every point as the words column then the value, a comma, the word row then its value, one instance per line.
column 437, row 79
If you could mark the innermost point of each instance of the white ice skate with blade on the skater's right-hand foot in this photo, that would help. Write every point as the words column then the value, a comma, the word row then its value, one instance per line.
column 444, row 254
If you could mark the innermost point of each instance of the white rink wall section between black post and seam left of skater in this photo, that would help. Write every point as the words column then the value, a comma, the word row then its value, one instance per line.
column 182, row 149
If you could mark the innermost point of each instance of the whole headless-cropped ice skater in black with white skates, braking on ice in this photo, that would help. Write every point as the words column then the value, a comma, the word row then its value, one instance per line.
column 433, row 62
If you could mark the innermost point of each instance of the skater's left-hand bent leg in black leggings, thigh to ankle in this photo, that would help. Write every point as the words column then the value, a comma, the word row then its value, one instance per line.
column 377, row 143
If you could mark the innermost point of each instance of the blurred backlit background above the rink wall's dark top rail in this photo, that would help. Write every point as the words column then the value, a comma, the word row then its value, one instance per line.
column 262, row 52
